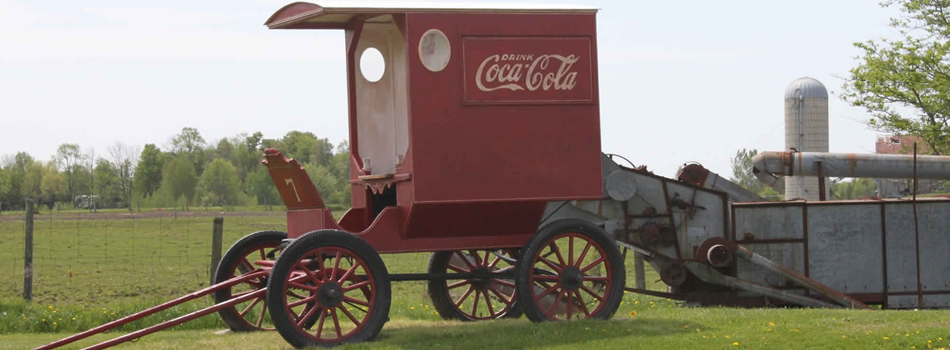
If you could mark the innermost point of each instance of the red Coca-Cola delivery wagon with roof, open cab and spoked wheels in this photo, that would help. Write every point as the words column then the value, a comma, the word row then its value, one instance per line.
column 480, row 119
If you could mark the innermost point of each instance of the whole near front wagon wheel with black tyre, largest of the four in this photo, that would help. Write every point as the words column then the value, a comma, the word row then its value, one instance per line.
column 328, row 287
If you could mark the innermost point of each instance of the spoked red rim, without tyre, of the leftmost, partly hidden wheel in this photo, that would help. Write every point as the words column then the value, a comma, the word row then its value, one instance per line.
column 247, row 264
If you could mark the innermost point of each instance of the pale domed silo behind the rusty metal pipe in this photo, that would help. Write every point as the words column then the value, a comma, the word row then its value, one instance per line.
column 806, row 130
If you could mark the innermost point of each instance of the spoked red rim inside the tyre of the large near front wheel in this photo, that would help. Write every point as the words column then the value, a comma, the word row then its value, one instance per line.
column 345, row 269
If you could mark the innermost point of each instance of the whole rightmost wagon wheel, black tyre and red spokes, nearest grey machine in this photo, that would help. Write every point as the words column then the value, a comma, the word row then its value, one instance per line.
column 569, row 270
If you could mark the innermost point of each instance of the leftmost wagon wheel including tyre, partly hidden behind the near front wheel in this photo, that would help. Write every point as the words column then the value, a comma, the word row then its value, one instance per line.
column 239, row 260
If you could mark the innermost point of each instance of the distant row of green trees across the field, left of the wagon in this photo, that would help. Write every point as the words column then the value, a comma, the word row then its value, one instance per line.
column 189, row 171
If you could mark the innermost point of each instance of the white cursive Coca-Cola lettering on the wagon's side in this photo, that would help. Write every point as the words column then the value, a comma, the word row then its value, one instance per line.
column 518, row 72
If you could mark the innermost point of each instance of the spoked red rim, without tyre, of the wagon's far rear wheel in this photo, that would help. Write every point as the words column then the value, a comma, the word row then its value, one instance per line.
column 479, row 293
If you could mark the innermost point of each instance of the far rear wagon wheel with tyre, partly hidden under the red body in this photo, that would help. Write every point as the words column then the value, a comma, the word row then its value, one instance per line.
column 473, row 299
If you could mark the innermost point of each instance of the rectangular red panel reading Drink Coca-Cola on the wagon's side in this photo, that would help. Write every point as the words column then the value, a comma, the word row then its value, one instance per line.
column 533, row 70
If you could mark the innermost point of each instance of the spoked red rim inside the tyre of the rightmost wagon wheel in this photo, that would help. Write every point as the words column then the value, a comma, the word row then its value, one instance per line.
column 566, row 300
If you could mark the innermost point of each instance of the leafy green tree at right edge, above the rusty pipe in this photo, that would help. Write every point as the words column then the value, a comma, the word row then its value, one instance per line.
column 910, row 73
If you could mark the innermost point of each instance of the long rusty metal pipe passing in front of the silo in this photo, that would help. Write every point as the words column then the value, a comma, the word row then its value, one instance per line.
column 767, row 166
